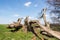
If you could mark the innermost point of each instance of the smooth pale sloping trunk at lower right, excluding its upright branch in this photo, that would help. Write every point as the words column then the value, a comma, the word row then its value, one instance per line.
column 53, row 33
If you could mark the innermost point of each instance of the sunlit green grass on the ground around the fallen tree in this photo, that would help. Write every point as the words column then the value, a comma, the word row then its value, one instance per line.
column 5, row 34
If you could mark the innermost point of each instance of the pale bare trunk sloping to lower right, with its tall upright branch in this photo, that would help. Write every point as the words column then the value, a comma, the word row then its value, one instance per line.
column 47, row 28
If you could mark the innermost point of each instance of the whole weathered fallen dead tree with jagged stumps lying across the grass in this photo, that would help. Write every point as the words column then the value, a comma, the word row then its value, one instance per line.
column 45, row 27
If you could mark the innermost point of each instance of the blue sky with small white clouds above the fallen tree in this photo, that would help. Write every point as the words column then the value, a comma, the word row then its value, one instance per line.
column 11, row 10
